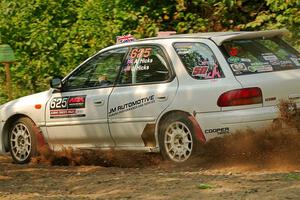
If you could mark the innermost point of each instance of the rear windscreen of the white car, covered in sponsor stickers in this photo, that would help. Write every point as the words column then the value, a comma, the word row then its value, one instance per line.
column 260, row 55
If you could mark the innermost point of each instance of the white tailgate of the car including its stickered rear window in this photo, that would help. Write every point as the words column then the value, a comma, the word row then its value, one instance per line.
column 267, row 63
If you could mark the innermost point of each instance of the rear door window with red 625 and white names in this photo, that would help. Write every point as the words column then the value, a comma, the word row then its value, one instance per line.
column 144, row 64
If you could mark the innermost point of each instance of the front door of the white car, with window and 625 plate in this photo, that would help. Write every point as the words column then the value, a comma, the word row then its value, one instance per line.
column 77, row 116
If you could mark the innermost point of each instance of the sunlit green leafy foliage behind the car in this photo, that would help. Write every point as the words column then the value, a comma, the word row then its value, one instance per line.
column 51, row 37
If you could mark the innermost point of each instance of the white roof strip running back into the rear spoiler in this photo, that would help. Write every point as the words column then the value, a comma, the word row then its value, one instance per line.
column 220, row 37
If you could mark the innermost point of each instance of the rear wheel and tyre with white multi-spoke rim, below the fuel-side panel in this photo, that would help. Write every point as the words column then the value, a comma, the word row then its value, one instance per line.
column 177, row 138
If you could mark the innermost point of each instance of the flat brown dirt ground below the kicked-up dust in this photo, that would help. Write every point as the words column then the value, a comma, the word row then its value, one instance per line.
column 161, row 180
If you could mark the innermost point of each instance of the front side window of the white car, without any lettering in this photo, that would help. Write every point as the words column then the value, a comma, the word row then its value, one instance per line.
column 100, row 71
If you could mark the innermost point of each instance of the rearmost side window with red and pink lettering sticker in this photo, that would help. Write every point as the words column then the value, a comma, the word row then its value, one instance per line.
column 199, row 60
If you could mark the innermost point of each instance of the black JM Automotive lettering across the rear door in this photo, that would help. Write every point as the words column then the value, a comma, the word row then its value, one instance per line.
column 131, row 105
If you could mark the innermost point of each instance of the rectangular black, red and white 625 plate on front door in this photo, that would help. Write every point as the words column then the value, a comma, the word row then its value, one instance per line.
column 70, row 106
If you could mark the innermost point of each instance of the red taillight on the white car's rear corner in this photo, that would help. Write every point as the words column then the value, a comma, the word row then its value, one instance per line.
column 239, row 97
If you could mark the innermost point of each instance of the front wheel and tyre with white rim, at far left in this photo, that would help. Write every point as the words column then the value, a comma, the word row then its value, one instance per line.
column 22, row 140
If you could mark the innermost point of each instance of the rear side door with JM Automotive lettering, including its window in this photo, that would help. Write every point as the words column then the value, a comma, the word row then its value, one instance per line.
column 145, row 88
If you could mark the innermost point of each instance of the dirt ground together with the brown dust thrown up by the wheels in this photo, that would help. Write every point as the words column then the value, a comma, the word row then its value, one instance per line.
column 253, row 165
